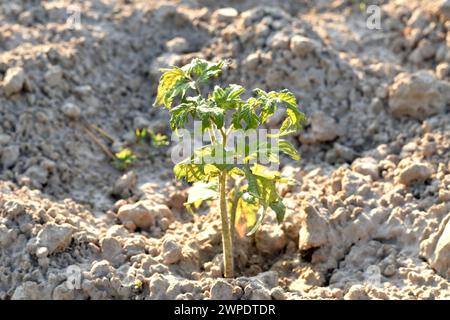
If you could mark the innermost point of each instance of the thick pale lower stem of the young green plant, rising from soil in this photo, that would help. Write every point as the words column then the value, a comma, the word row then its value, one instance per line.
column 227, row 241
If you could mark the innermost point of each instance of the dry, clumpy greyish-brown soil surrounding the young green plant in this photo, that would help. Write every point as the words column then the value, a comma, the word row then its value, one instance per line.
column 369, row 218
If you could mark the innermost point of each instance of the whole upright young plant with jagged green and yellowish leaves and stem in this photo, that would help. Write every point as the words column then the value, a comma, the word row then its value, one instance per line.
column 223, row 113
